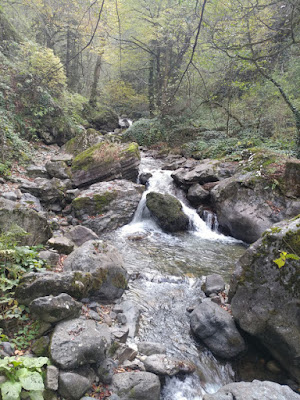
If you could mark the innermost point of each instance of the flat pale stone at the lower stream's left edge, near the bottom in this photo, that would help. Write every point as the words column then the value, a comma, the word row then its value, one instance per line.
column 162, row 365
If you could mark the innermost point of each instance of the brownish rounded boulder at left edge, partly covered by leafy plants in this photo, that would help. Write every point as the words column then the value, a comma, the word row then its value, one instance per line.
column 36, row 226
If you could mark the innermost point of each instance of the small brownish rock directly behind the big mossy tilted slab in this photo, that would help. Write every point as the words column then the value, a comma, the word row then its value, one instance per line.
column 83, row 141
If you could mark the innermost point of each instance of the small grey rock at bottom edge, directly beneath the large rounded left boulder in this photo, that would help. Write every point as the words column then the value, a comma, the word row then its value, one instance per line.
column 73, row 386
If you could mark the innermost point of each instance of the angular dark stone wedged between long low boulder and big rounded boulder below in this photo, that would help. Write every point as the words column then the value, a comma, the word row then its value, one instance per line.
column 55, row 308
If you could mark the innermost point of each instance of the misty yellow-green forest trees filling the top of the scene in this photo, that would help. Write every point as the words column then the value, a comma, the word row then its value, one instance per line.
column 230, row 66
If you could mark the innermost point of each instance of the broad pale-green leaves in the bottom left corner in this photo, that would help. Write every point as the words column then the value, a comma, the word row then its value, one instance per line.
column 24, row 377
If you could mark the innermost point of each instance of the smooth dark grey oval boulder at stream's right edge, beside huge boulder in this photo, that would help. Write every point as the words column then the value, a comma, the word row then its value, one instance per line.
column 216, row 328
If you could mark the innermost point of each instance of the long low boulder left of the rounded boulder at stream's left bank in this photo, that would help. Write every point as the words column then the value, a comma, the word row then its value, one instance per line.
column 39, row 284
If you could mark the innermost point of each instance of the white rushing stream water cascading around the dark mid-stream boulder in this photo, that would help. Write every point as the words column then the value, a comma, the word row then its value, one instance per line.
column 167, row 272
